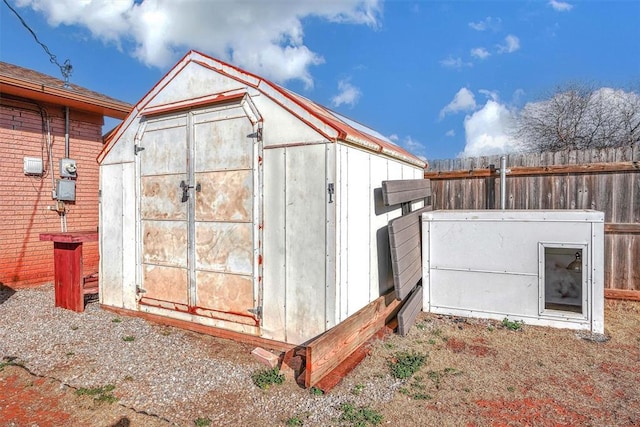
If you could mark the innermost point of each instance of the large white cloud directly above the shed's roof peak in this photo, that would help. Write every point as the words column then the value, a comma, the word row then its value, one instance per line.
column 264, row 37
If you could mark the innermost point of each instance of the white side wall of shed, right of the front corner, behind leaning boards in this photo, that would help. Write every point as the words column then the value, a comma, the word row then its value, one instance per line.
column 363, row 258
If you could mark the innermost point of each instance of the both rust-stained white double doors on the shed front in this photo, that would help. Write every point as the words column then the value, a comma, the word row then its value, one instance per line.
column 199, row 248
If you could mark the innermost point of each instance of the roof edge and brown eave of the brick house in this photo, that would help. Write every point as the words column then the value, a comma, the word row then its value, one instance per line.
column 27, row 83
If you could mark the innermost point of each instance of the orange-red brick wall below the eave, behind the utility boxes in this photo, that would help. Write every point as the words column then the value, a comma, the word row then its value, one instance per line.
column 26, row 200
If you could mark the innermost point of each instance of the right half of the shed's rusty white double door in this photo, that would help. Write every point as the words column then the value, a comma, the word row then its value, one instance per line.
column 224, row 211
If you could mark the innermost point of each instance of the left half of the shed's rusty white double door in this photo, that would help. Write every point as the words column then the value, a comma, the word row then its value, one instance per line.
column 163, row 216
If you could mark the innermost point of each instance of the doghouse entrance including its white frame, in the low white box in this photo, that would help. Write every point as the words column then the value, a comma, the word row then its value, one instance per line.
column 562, row 277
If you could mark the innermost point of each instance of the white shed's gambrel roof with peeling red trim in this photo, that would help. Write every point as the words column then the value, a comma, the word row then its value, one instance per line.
column 330, row 124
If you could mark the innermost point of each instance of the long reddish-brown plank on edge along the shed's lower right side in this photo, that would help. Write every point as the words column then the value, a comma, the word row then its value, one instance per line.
column 326, row 352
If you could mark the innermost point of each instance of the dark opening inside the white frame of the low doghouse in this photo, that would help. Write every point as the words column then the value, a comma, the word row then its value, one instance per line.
column 563, row 274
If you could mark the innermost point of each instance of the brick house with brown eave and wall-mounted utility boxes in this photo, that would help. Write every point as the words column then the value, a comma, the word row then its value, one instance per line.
column 45, row 126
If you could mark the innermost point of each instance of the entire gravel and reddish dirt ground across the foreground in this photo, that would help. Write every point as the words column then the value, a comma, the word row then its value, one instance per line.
column 477, row 372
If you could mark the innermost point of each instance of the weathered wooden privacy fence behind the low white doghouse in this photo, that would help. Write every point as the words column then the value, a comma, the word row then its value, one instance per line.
column 607, row 180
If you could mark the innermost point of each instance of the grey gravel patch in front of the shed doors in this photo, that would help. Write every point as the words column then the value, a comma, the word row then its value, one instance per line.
column 176, row 375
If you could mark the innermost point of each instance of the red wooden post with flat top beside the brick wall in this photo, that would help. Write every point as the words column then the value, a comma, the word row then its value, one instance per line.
column 67, row 260
